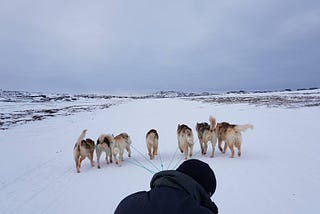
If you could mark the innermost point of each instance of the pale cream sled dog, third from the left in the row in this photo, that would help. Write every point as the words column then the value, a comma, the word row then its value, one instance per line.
column 121, row 142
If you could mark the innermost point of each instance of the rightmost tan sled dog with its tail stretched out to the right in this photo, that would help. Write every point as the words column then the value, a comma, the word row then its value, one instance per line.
column 231, row 135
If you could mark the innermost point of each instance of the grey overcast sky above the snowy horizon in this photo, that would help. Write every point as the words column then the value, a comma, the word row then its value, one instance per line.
column 148, row 45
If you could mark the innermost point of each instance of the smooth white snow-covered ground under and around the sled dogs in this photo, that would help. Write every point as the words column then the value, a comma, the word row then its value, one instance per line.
column 278, row 171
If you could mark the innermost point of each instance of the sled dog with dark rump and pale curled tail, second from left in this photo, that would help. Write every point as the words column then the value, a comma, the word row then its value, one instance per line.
column 104, row 145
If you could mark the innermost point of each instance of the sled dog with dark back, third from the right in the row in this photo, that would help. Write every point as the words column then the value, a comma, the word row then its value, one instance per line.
column 185, row 140
